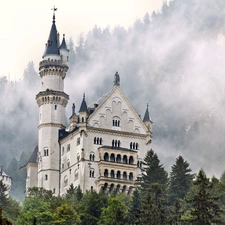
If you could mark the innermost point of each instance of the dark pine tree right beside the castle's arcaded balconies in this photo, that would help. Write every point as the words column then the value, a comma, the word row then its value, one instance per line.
column 153, row 172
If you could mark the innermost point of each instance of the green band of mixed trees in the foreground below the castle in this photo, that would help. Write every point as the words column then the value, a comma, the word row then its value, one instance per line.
column 179, row 197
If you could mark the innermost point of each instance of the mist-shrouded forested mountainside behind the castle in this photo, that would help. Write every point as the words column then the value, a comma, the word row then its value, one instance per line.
column 172, row 59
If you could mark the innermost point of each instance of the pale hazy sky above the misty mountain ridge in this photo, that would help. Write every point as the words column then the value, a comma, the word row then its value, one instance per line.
column 25, row 25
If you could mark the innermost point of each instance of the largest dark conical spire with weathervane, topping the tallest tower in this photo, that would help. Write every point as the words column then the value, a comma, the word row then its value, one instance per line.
column 52, row 43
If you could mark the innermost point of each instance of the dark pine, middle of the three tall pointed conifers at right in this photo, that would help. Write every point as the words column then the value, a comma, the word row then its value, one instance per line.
column 180, row 179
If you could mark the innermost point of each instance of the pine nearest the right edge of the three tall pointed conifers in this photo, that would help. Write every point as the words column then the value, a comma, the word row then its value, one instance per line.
column 205, row 209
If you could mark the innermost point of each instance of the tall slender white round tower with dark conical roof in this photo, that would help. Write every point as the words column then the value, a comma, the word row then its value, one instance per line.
column 52, row 101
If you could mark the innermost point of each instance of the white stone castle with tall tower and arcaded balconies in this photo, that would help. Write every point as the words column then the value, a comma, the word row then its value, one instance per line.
column 104, row 145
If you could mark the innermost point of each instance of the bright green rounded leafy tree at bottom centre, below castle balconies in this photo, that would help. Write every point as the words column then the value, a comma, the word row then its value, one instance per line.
column 116, row 213
